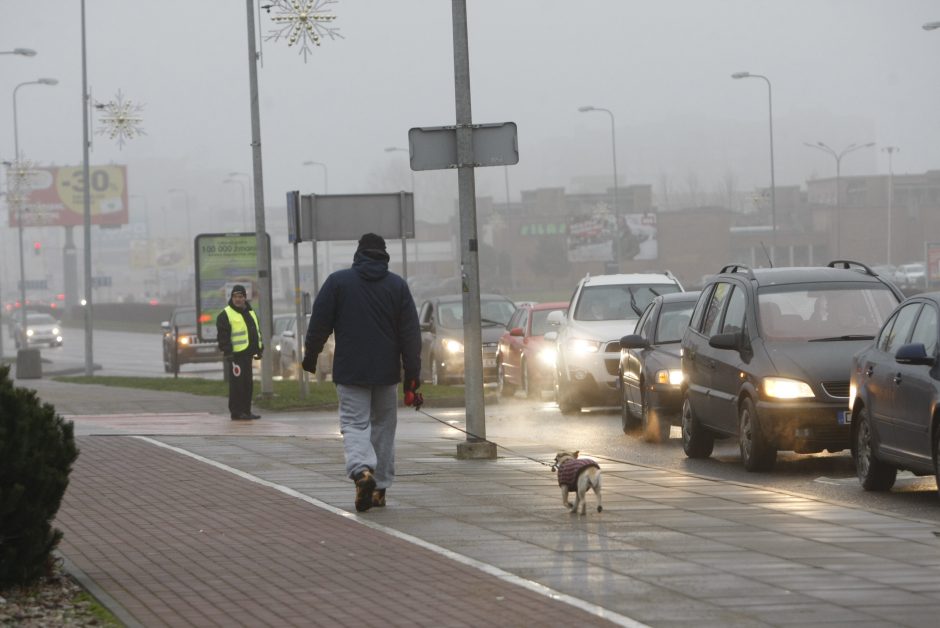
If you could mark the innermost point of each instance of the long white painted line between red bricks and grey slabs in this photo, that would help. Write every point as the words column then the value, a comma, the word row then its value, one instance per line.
column 593, row 609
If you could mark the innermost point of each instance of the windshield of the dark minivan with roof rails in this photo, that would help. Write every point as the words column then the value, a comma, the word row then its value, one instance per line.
column 824, row 312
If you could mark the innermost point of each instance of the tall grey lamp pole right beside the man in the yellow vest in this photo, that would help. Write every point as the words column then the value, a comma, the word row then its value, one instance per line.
column 263, row 256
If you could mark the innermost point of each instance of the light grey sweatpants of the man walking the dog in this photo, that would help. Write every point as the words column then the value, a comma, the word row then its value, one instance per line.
column 368, row 416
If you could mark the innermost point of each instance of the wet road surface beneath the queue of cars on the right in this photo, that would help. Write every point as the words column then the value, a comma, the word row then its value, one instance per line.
column 825, row 476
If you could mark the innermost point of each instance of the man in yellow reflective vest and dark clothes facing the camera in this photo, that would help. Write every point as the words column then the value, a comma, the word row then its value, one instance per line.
column 239, row 336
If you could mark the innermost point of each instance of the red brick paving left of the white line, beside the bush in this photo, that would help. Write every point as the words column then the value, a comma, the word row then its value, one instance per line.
column 176, row 542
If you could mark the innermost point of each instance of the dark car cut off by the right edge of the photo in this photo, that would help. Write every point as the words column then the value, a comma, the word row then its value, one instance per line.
column 894, row 396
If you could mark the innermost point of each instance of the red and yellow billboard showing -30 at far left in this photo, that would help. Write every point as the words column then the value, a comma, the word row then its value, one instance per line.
column 56, row 196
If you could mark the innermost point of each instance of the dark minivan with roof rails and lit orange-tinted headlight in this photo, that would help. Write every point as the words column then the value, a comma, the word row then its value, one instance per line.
column 767, row 355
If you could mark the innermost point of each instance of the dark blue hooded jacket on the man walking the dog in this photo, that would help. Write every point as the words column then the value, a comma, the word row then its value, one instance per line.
column 373, row 318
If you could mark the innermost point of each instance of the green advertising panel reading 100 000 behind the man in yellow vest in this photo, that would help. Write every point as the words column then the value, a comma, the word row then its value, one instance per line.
column 222, row 261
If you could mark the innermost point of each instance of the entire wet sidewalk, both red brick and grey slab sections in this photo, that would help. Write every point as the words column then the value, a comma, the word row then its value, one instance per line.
column 198, row 520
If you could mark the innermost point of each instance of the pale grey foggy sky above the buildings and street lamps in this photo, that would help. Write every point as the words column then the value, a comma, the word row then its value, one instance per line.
column 843, row 72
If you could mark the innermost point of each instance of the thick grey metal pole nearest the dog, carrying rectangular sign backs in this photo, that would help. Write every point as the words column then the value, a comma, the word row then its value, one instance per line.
column 470, row 280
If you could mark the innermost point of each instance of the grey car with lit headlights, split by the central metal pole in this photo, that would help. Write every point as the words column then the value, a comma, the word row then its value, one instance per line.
column 441, row 320
